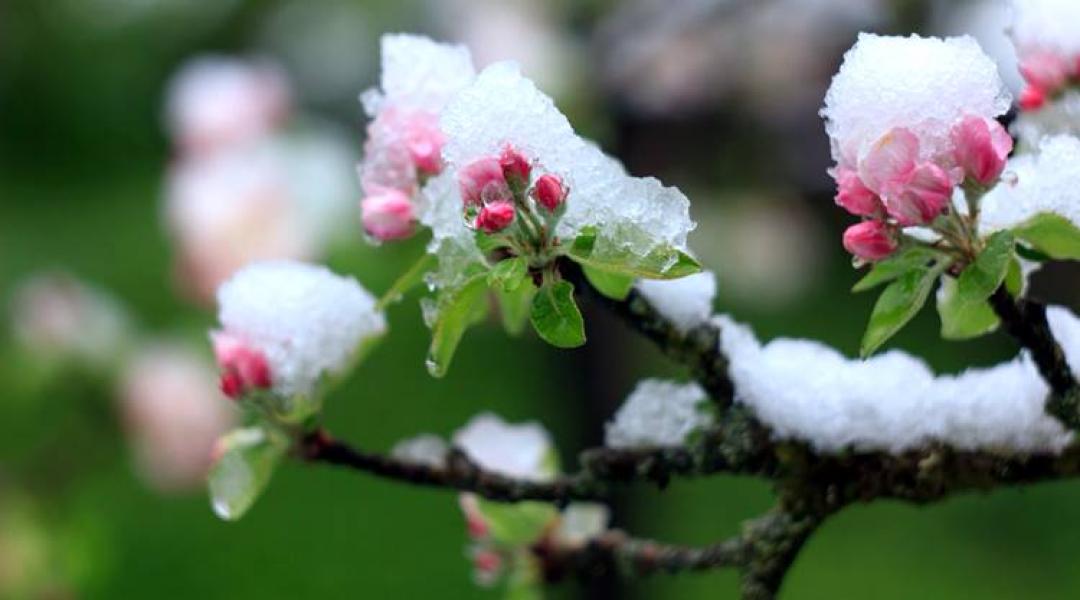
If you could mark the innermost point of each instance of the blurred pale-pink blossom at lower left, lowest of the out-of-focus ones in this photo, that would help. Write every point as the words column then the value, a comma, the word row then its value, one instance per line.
column 173, row 414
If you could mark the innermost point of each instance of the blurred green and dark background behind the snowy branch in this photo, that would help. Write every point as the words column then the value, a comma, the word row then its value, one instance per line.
column 724, row 107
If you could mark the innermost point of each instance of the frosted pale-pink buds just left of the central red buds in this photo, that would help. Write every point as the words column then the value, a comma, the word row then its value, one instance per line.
column 404, row 149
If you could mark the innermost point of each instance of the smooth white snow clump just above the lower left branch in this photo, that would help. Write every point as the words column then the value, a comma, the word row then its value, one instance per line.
column 523, row 451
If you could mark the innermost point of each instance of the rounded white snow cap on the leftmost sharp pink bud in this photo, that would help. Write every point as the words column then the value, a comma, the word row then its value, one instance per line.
column 306, row 322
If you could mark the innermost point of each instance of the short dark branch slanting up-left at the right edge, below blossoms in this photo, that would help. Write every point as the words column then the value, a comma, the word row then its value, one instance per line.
column 1027, row 322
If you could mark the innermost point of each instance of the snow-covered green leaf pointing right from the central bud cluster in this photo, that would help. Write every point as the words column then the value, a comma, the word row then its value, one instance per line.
column 664, row 263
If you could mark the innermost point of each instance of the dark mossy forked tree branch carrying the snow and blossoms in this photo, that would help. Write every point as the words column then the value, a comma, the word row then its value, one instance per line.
column 812, row 486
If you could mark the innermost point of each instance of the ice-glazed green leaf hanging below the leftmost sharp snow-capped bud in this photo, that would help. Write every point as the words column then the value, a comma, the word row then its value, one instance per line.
column 247, row 461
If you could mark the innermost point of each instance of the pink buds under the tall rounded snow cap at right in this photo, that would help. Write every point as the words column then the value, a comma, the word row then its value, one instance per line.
column 893, row 188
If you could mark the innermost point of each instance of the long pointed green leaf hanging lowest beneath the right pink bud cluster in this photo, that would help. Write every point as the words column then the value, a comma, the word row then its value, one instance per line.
column 900, row 302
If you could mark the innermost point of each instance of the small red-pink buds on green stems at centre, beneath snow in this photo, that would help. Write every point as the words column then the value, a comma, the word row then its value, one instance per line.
column 502, row 198
